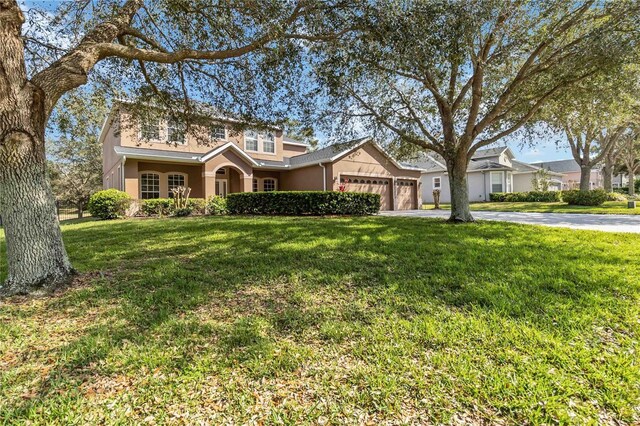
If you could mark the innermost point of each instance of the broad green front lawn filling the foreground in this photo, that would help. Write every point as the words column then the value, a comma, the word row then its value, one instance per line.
column 321, row 320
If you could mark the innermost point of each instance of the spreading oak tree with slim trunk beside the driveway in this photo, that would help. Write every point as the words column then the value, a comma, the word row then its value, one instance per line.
column 456, row 76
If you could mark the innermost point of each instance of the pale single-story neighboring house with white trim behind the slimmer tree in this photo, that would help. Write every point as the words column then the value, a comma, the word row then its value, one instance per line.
column 490, row 170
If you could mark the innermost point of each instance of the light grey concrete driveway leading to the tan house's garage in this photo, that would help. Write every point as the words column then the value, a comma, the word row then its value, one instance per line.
column 595, row 222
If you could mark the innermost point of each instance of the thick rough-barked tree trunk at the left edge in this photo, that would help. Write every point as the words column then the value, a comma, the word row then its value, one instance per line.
column 36, row 256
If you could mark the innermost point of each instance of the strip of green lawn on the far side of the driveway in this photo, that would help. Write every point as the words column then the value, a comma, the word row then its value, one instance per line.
column 609, row 207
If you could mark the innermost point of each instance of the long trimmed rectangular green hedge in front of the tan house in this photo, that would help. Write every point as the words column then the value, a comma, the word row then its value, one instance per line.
column 295, row 203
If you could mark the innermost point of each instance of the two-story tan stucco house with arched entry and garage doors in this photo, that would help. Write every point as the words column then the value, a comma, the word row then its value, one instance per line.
column 147, row 160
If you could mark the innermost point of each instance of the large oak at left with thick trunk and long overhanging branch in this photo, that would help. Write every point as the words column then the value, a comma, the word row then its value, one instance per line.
column 224, row 52
